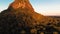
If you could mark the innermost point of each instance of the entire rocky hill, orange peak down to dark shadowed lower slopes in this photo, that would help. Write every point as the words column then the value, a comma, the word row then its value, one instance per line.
column 20, row 18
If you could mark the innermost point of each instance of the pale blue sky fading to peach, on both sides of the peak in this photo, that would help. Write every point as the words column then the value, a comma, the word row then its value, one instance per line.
column 45, row 7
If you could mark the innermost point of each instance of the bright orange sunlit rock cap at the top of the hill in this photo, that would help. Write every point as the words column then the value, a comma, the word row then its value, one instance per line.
column 21, row 4
